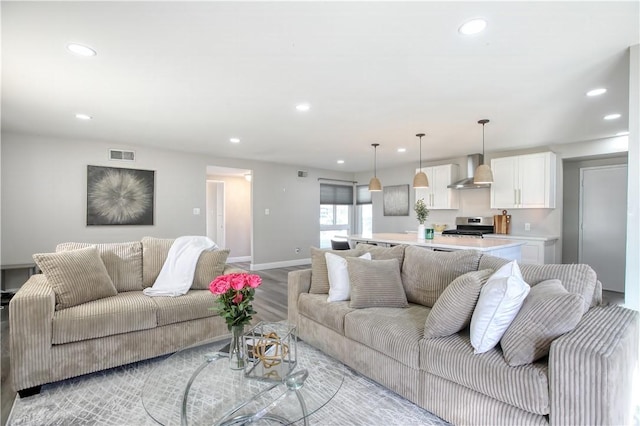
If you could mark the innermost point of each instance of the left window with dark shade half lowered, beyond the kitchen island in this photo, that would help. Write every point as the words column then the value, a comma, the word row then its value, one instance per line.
column 336, row 207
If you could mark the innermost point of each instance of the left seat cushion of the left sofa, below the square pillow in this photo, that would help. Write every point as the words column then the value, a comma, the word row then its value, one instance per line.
column 122, row 313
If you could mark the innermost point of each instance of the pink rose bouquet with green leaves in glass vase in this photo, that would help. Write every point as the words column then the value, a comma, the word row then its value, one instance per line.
column 235, row 293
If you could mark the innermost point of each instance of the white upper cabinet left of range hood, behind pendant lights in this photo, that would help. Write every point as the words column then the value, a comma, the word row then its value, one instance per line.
column 437, row 196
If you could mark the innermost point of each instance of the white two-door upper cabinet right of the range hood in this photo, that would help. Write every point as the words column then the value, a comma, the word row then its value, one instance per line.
column 524, row 181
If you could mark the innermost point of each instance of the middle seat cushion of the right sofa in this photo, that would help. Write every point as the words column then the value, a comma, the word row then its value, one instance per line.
column 391, row 331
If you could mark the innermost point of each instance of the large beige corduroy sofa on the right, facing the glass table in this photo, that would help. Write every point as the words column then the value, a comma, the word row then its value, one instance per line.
column 585, row 380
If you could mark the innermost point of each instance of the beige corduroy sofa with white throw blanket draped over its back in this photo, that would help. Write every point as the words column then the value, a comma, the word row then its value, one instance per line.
column 50, row 344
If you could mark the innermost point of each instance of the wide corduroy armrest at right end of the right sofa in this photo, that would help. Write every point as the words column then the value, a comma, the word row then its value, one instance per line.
column 591, row 369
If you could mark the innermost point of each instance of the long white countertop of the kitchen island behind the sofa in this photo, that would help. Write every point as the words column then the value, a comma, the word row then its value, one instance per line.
column 447, row 243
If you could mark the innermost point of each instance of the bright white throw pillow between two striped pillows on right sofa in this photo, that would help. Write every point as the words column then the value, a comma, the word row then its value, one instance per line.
column 499, row 302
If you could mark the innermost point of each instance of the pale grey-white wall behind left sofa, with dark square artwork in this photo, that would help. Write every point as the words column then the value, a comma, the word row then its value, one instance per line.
column 44, row 198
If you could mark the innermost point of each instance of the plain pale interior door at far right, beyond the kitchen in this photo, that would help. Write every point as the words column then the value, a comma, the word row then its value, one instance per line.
column 603, row 223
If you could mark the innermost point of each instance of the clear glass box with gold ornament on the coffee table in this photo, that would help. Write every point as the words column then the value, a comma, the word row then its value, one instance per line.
column 272, row 349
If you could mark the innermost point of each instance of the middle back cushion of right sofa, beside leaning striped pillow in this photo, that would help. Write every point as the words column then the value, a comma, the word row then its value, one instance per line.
column 426, row 273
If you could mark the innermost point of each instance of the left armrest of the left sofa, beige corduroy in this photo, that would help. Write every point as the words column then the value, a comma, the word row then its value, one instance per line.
column 31, row 322
